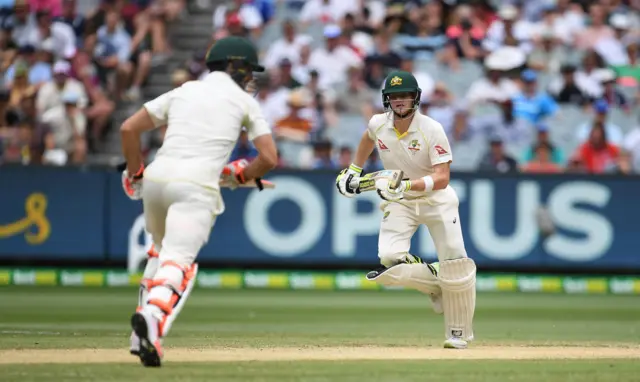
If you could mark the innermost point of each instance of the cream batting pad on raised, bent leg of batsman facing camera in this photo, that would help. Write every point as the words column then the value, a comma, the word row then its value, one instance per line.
column 414, row 276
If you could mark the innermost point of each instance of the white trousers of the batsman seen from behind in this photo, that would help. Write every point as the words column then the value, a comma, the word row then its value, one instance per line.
column 179, row 216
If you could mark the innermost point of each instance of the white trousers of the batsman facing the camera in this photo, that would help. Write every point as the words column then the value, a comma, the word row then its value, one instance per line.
column 401, row 220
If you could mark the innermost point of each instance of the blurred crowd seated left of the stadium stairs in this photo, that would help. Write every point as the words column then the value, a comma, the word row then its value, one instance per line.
column 63, row 72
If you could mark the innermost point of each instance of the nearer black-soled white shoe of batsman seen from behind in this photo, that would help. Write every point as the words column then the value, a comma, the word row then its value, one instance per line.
column 145, row 327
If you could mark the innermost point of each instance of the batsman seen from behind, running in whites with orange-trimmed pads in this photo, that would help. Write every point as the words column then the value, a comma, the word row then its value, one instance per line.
column 180, row 189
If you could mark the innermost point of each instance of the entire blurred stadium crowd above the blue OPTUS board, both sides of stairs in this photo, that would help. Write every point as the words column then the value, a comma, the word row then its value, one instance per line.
column 540, row 86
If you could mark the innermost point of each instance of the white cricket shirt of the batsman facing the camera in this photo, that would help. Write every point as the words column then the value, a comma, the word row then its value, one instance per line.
column 415, row 152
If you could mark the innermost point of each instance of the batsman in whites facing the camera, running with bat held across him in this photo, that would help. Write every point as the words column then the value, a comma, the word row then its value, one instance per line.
column 416, row 144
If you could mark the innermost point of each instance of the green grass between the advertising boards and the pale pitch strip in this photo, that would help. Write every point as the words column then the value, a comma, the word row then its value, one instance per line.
column 33, row 317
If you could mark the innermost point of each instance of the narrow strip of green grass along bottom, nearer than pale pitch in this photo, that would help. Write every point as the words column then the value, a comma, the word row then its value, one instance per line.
column 396, row 371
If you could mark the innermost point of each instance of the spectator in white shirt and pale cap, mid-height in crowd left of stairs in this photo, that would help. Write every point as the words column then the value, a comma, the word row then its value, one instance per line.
column 50, row 94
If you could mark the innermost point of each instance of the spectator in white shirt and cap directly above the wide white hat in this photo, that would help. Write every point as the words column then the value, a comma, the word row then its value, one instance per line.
column 508, row 31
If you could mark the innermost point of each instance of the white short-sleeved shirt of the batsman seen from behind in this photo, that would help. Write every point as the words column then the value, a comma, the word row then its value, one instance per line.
column 204, row 120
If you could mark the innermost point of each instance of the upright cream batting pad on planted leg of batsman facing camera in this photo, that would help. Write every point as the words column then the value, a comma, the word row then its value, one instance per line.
column 458, row 283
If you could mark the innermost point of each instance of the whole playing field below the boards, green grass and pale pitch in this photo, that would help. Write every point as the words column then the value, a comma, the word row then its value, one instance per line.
column 260, row 335
